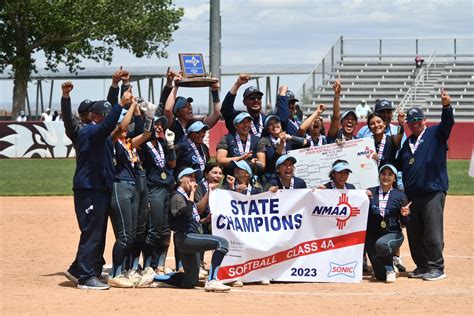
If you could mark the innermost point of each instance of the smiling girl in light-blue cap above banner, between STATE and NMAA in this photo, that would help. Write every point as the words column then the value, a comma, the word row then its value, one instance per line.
column 285, row 166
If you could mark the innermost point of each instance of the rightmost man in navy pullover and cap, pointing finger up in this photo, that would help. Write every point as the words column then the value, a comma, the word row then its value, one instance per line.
column 423, row 162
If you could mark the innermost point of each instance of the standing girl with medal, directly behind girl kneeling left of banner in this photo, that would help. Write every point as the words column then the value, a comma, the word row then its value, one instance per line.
column 160, row 159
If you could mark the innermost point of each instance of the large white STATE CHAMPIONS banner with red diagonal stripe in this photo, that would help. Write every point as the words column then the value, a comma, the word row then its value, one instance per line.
column 292, row 235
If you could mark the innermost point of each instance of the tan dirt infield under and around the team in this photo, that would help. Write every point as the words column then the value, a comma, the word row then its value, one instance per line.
column 39, row 237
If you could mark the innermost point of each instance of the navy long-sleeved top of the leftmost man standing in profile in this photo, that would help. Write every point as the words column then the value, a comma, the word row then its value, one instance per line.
column 94, row 167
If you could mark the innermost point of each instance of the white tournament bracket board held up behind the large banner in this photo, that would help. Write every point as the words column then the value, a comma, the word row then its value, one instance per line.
column 314, row 163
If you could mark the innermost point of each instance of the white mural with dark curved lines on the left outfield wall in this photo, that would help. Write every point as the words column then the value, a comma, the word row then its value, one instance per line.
column 34, row 140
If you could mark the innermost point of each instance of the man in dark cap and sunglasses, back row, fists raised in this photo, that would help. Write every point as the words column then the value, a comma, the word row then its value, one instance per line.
column 253, row 103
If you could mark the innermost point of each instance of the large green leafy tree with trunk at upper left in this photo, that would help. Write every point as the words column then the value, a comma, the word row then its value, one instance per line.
column 69, row 31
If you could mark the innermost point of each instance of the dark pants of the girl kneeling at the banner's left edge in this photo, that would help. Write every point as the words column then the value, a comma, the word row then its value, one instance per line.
column 190, row 246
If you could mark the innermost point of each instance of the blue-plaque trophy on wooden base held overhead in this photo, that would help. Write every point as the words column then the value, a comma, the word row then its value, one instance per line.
column 194, row 71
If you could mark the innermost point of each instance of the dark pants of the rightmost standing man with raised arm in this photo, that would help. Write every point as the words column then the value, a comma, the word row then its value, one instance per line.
column 425, row 230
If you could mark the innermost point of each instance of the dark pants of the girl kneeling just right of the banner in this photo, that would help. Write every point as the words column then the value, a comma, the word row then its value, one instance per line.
column 380, row 250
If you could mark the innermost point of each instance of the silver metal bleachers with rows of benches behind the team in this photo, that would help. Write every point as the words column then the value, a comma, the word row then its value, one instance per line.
column 373, row 79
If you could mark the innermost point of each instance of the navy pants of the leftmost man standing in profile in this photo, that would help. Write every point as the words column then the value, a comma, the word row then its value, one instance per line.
column 92, row 210
